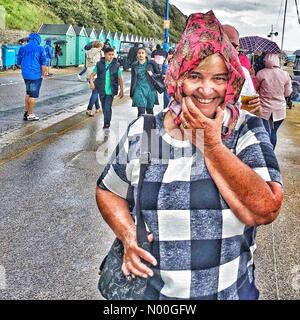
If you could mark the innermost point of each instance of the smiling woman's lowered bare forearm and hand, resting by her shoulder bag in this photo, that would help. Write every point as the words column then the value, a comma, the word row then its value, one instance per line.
column 115, row 212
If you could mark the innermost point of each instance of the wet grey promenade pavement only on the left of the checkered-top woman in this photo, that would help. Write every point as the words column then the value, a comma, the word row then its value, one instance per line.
column 51, row 234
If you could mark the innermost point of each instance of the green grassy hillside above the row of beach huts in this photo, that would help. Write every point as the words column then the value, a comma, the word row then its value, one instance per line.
column 128, row 16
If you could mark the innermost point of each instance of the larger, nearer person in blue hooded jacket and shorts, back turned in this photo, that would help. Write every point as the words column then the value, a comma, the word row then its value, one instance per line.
column 33, row 62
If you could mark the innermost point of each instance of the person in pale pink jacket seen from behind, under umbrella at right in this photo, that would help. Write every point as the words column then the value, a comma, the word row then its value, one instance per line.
column 273, row 85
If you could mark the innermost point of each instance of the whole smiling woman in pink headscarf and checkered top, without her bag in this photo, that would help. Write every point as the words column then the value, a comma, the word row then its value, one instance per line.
column 212, row 179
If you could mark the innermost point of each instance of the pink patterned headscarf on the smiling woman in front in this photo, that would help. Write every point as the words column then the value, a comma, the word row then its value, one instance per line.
column 202, row 37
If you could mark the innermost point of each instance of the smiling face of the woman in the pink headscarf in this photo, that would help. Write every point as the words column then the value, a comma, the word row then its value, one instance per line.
column 207, row 84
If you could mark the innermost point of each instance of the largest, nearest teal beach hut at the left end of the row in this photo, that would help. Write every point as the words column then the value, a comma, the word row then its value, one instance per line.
column 66, row 33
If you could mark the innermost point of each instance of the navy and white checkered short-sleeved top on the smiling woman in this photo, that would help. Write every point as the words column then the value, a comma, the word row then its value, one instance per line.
column 203, row 250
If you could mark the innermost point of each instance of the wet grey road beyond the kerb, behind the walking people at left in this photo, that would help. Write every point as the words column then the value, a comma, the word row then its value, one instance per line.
column 58, row 94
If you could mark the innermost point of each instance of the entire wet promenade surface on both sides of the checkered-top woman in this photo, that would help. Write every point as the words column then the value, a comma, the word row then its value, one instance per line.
column 53, row 238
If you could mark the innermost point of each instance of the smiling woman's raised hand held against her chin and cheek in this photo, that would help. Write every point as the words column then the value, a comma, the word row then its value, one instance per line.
column 203, row 132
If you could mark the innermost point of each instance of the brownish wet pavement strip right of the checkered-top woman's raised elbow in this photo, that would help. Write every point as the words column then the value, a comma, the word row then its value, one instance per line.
column 278, row 244
